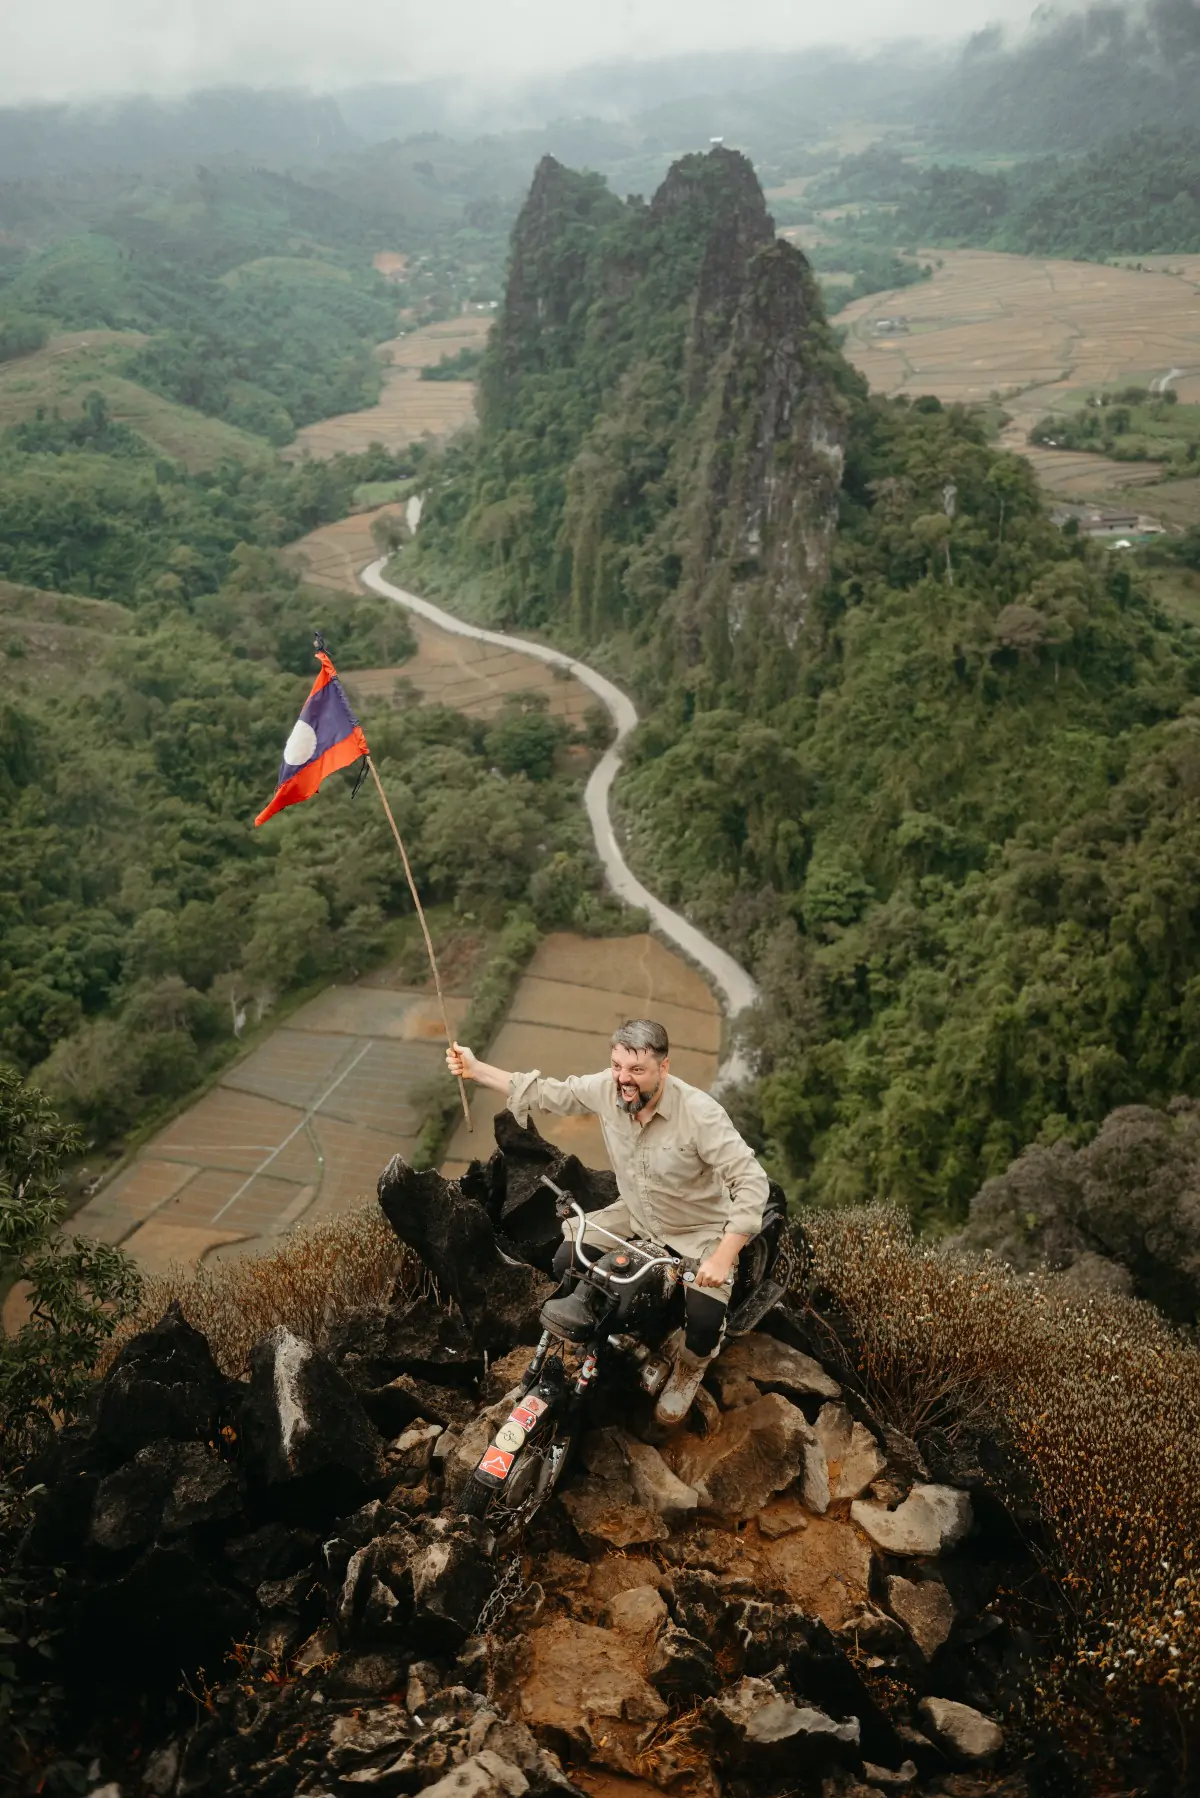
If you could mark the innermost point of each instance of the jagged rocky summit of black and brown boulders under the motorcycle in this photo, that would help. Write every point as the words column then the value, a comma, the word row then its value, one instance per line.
column 780, row 1598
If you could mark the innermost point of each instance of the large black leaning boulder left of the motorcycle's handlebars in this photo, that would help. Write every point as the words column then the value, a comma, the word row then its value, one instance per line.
column 454, row 1238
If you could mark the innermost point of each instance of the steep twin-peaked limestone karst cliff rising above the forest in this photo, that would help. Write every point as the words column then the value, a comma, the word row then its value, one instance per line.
column 665, row 416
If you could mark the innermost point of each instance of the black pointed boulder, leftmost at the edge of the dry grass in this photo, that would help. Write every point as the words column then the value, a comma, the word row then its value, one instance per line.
column 163, row 1384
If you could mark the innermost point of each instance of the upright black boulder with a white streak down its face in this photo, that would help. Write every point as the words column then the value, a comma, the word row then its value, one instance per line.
column 309, row 1446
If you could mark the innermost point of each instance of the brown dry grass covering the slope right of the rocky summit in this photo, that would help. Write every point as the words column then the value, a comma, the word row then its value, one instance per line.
column 1100, row 1405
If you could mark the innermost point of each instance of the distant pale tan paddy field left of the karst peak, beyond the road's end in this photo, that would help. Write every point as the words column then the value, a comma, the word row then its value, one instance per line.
column 409, row 407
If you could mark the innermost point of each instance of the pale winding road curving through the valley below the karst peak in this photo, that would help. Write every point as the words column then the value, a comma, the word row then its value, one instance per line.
column 730, row 979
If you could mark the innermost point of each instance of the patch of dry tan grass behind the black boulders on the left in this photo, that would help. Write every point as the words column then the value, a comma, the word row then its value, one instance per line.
column 310, row 1283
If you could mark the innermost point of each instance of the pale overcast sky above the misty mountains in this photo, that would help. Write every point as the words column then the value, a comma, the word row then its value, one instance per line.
column 60, row 49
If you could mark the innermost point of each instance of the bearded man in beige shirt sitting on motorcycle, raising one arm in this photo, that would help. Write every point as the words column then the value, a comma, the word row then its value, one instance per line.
column 685, row 1175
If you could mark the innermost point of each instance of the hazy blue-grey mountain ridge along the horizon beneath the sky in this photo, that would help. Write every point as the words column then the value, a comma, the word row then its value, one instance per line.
column 1064, row 85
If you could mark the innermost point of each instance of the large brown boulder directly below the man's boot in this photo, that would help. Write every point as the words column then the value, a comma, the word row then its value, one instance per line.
column 758, row 1452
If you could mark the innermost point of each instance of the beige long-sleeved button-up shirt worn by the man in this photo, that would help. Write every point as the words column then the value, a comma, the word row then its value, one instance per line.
column 686, row 1177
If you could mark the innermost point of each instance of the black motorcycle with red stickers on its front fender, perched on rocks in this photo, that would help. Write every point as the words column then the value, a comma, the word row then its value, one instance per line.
column 627, row 1330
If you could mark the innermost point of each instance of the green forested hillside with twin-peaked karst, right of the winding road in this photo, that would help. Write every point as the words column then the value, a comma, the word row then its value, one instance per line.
column 920, row 758
